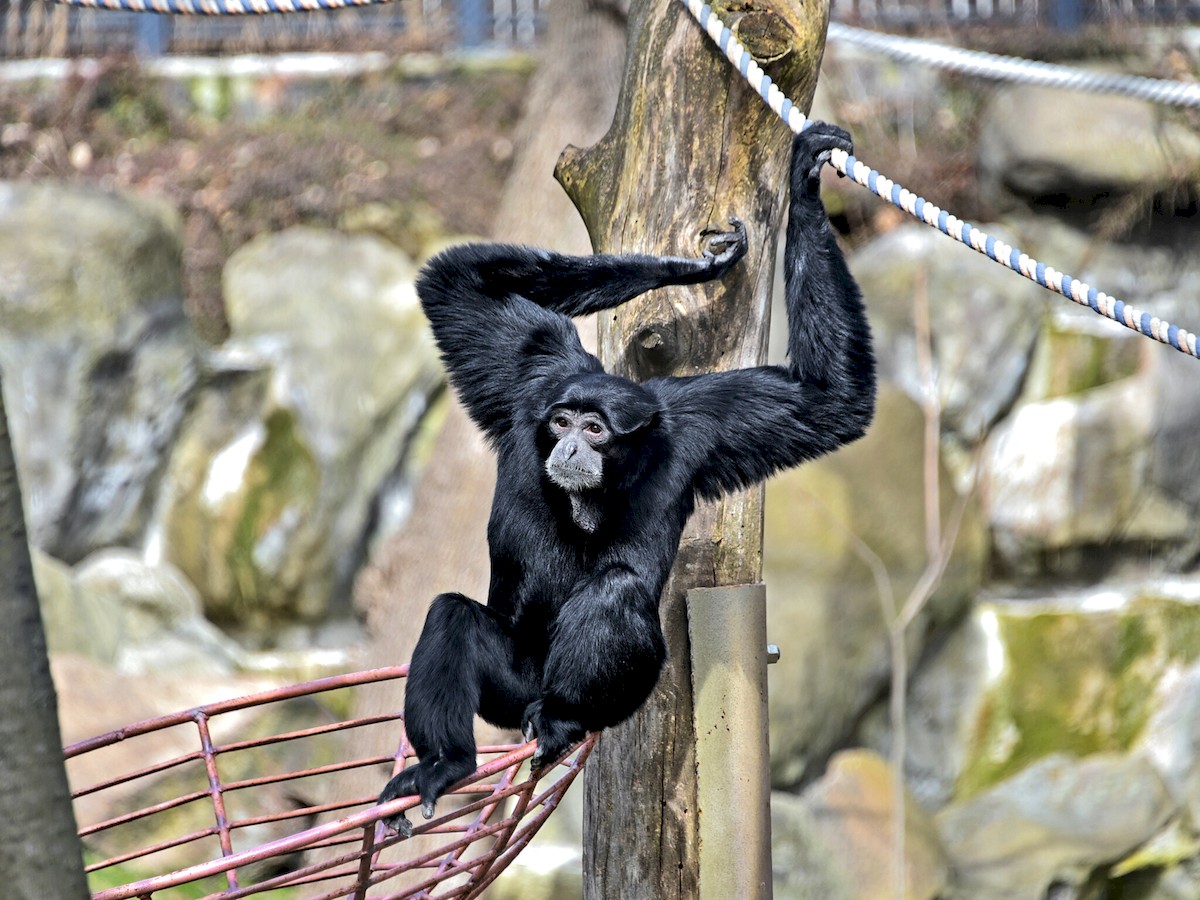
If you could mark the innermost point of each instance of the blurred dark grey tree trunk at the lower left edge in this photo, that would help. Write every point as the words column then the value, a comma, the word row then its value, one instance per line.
column 41, row 857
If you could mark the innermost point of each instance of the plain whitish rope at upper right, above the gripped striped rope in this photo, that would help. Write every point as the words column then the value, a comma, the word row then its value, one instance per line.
column 1013, row 69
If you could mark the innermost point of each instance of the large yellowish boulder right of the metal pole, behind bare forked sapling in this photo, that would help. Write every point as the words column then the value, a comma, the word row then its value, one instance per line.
column 824, row 603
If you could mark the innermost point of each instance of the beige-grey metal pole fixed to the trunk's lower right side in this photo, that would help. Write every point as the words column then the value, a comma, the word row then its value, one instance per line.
column 728, row 631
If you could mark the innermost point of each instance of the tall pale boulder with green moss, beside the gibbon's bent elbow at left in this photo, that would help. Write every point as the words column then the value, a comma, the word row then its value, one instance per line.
column 304, row 429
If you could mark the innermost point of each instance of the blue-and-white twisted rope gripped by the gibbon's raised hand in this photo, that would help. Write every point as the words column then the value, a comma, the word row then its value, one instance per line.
column 979, row 241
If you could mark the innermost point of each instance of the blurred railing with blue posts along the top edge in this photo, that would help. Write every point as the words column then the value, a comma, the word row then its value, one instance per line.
column 38, row 28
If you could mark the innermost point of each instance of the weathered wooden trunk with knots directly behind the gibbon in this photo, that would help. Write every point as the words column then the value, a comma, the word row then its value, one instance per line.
column 691, row 146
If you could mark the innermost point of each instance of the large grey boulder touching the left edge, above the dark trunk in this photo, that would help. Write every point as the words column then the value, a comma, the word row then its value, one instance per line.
column 98, row 356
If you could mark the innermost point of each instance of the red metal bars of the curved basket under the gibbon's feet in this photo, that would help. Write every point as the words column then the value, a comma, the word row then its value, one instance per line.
column 501, row 808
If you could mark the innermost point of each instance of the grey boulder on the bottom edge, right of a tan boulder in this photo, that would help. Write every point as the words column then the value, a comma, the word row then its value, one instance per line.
column 1052, row 825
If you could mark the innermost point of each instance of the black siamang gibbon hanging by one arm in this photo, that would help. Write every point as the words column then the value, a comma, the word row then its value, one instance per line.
column 598, row 475
